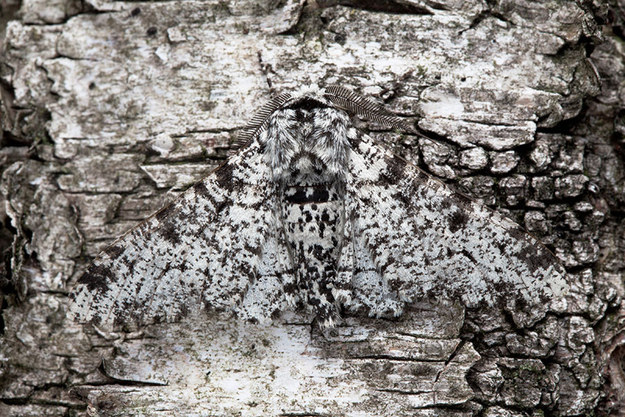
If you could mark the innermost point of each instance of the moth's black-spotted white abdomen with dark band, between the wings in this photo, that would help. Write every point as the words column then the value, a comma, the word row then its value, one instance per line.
column 313, row 214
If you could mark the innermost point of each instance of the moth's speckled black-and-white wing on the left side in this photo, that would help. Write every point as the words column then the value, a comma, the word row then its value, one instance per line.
column 216, row 247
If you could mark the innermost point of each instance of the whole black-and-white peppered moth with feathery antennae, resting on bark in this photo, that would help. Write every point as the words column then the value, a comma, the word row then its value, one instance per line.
column 314, row 214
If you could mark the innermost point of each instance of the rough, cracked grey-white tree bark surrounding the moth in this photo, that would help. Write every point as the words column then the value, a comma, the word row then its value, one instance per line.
column 109, row 109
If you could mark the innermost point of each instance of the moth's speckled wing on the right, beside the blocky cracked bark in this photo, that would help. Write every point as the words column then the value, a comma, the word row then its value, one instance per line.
column 413, row 237
